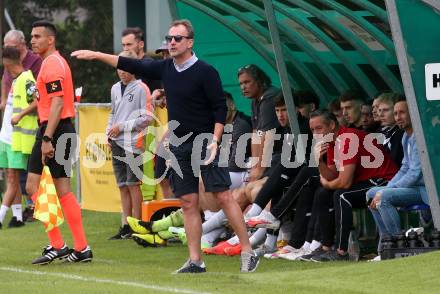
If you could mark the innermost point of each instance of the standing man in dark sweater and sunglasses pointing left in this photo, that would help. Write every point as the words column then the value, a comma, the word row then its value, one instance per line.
column 195, row 100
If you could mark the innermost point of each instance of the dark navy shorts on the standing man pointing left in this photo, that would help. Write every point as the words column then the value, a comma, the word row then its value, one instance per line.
column 215, row 178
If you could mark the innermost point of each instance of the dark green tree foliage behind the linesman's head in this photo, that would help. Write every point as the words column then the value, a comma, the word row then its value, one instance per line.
column 81, row 24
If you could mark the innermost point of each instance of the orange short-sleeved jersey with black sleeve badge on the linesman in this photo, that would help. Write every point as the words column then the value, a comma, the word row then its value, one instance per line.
column 55, row 80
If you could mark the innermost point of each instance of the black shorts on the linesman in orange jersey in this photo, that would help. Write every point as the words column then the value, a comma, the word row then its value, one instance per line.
column 65, row 149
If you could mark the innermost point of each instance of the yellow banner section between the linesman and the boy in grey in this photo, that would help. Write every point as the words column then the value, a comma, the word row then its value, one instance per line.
column 98, row 185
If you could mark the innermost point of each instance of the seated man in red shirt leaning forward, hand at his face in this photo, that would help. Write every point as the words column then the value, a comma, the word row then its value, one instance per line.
column 350, row 162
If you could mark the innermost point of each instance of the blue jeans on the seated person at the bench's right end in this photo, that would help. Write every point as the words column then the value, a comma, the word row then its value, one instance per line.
column 386, row 215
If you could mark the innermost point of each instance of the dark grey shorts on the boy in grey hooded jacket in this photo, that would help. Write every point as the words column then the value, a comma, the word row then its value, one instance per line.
column 124, row 174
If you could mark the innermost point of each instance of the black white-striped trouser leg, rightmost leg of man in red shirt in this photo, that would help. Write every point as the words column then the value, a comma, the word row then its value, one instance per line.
column 344, row 201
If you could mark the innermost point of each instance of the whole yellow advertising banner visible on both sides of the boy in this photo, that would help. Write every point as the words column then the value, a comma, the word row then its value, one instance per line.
column 98, row 187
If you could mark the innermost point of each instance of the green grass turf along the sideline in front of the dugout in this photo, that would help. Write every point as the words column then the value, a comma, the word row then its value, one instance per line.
column 126, row 262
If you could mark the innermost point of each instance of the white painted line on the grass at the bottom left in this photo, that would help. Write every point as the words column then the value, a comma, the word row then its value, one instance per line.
column 97, row 280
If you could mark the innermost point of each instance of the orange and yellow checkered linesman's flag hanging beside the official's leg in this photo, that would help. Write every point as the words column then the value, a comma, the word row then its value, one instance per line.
column 47, row 206
